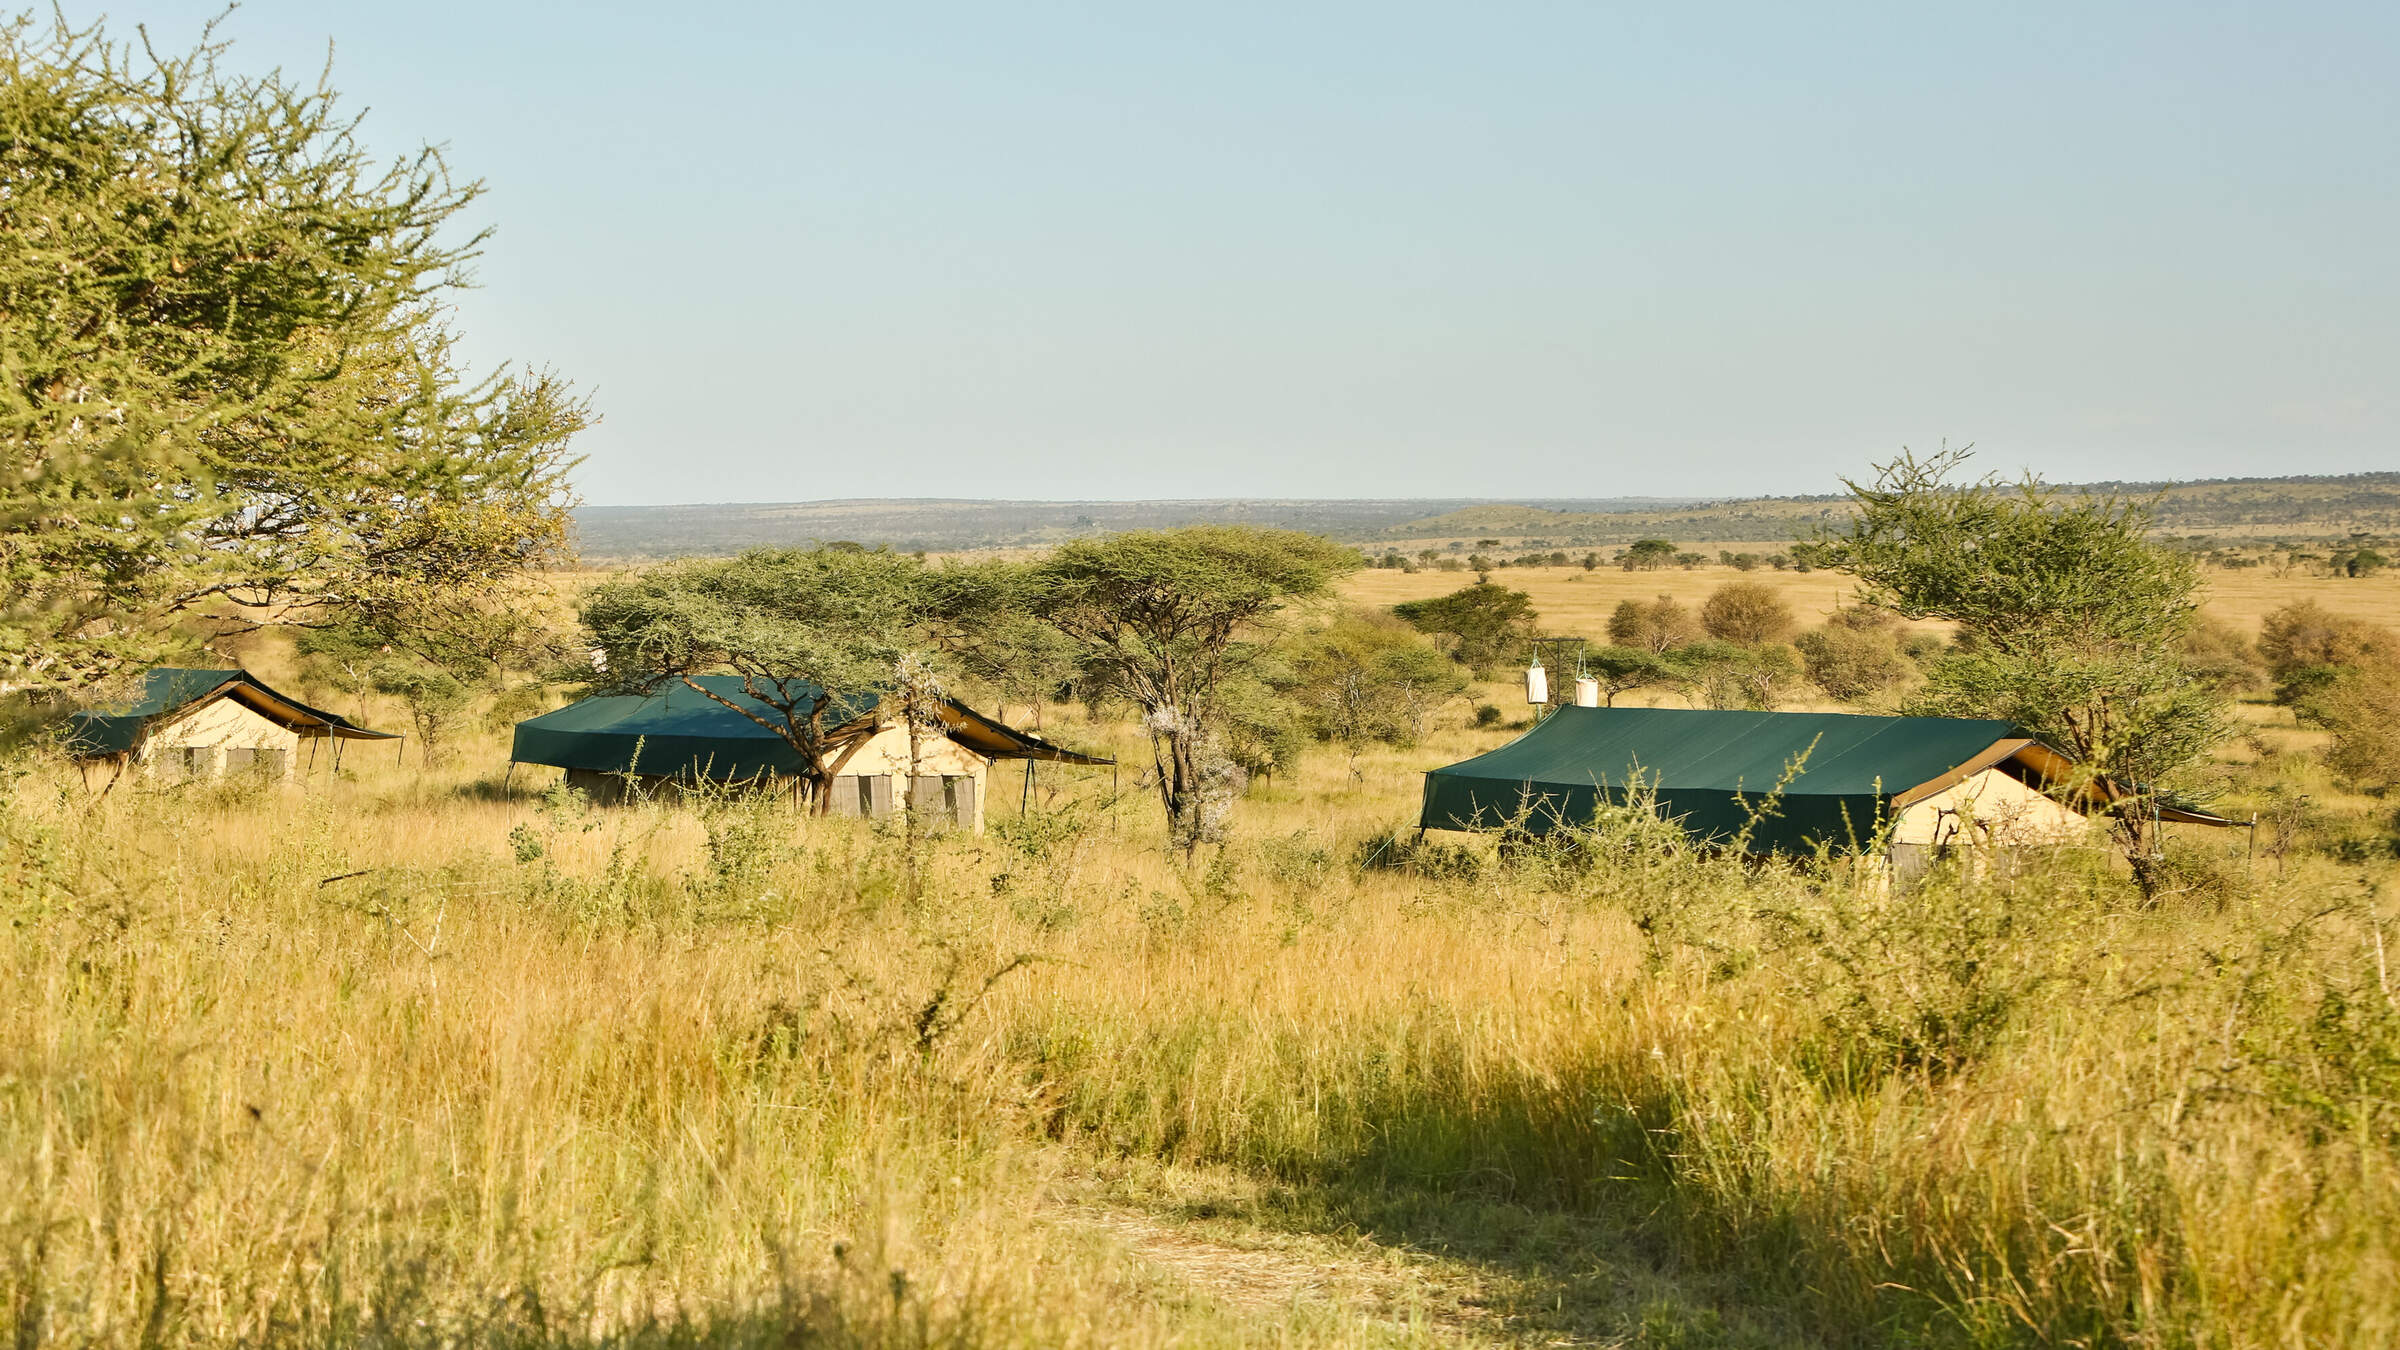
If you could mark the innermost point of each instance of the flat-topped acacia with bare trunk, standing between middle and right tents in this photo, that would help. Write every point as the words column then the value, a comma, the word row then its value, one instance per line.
column 1163, row 616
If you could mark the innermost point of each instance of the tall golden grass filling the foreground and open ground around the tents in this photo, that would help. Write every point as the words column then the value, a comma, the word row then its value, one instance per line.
column 409, row 1061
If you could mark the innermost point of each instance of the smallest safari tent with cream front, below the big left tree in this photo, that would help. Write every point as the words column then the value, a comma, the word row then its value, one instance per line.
column 208, row 724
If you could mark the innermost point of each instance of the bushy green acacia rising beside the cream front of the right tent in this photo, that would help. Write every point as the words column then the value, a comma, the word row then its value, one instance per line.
column 2070, row 621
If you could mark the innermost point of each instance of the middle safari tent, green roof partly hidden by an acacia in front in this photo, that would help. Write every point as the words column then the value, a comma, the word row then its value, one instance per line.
column 676, row 736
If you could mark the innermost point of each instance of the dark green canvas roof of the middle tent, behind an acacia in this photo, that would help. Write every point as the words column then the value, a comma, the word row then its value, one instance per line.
column 683, row 731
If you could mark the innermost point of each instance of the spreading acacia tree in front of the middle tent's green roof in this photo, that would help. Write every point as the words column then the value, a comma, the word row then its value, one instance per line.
column 812, row 635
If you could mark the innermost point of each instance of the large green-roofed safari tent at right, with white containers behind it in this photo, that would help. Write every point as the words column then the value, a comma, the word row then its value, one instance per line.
column 1844, row 782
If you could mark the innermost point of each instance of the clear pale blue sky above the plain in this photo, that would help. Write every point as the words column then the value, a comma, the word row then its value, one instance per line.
column 1384, row 249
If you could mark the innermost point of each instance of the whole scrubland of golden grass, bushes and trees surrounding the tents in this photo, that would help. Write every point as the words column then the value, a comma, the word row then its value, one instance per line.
column 1218, row 1051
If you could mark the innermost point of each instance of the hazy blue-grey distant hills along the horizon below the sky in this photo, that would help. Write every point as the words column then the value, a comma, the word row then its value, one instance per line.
column 2236, row 508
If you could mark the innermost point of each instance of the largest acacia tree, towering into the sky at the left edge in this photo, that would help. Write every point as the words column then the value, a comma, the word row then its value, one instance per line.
column 227, row 383
